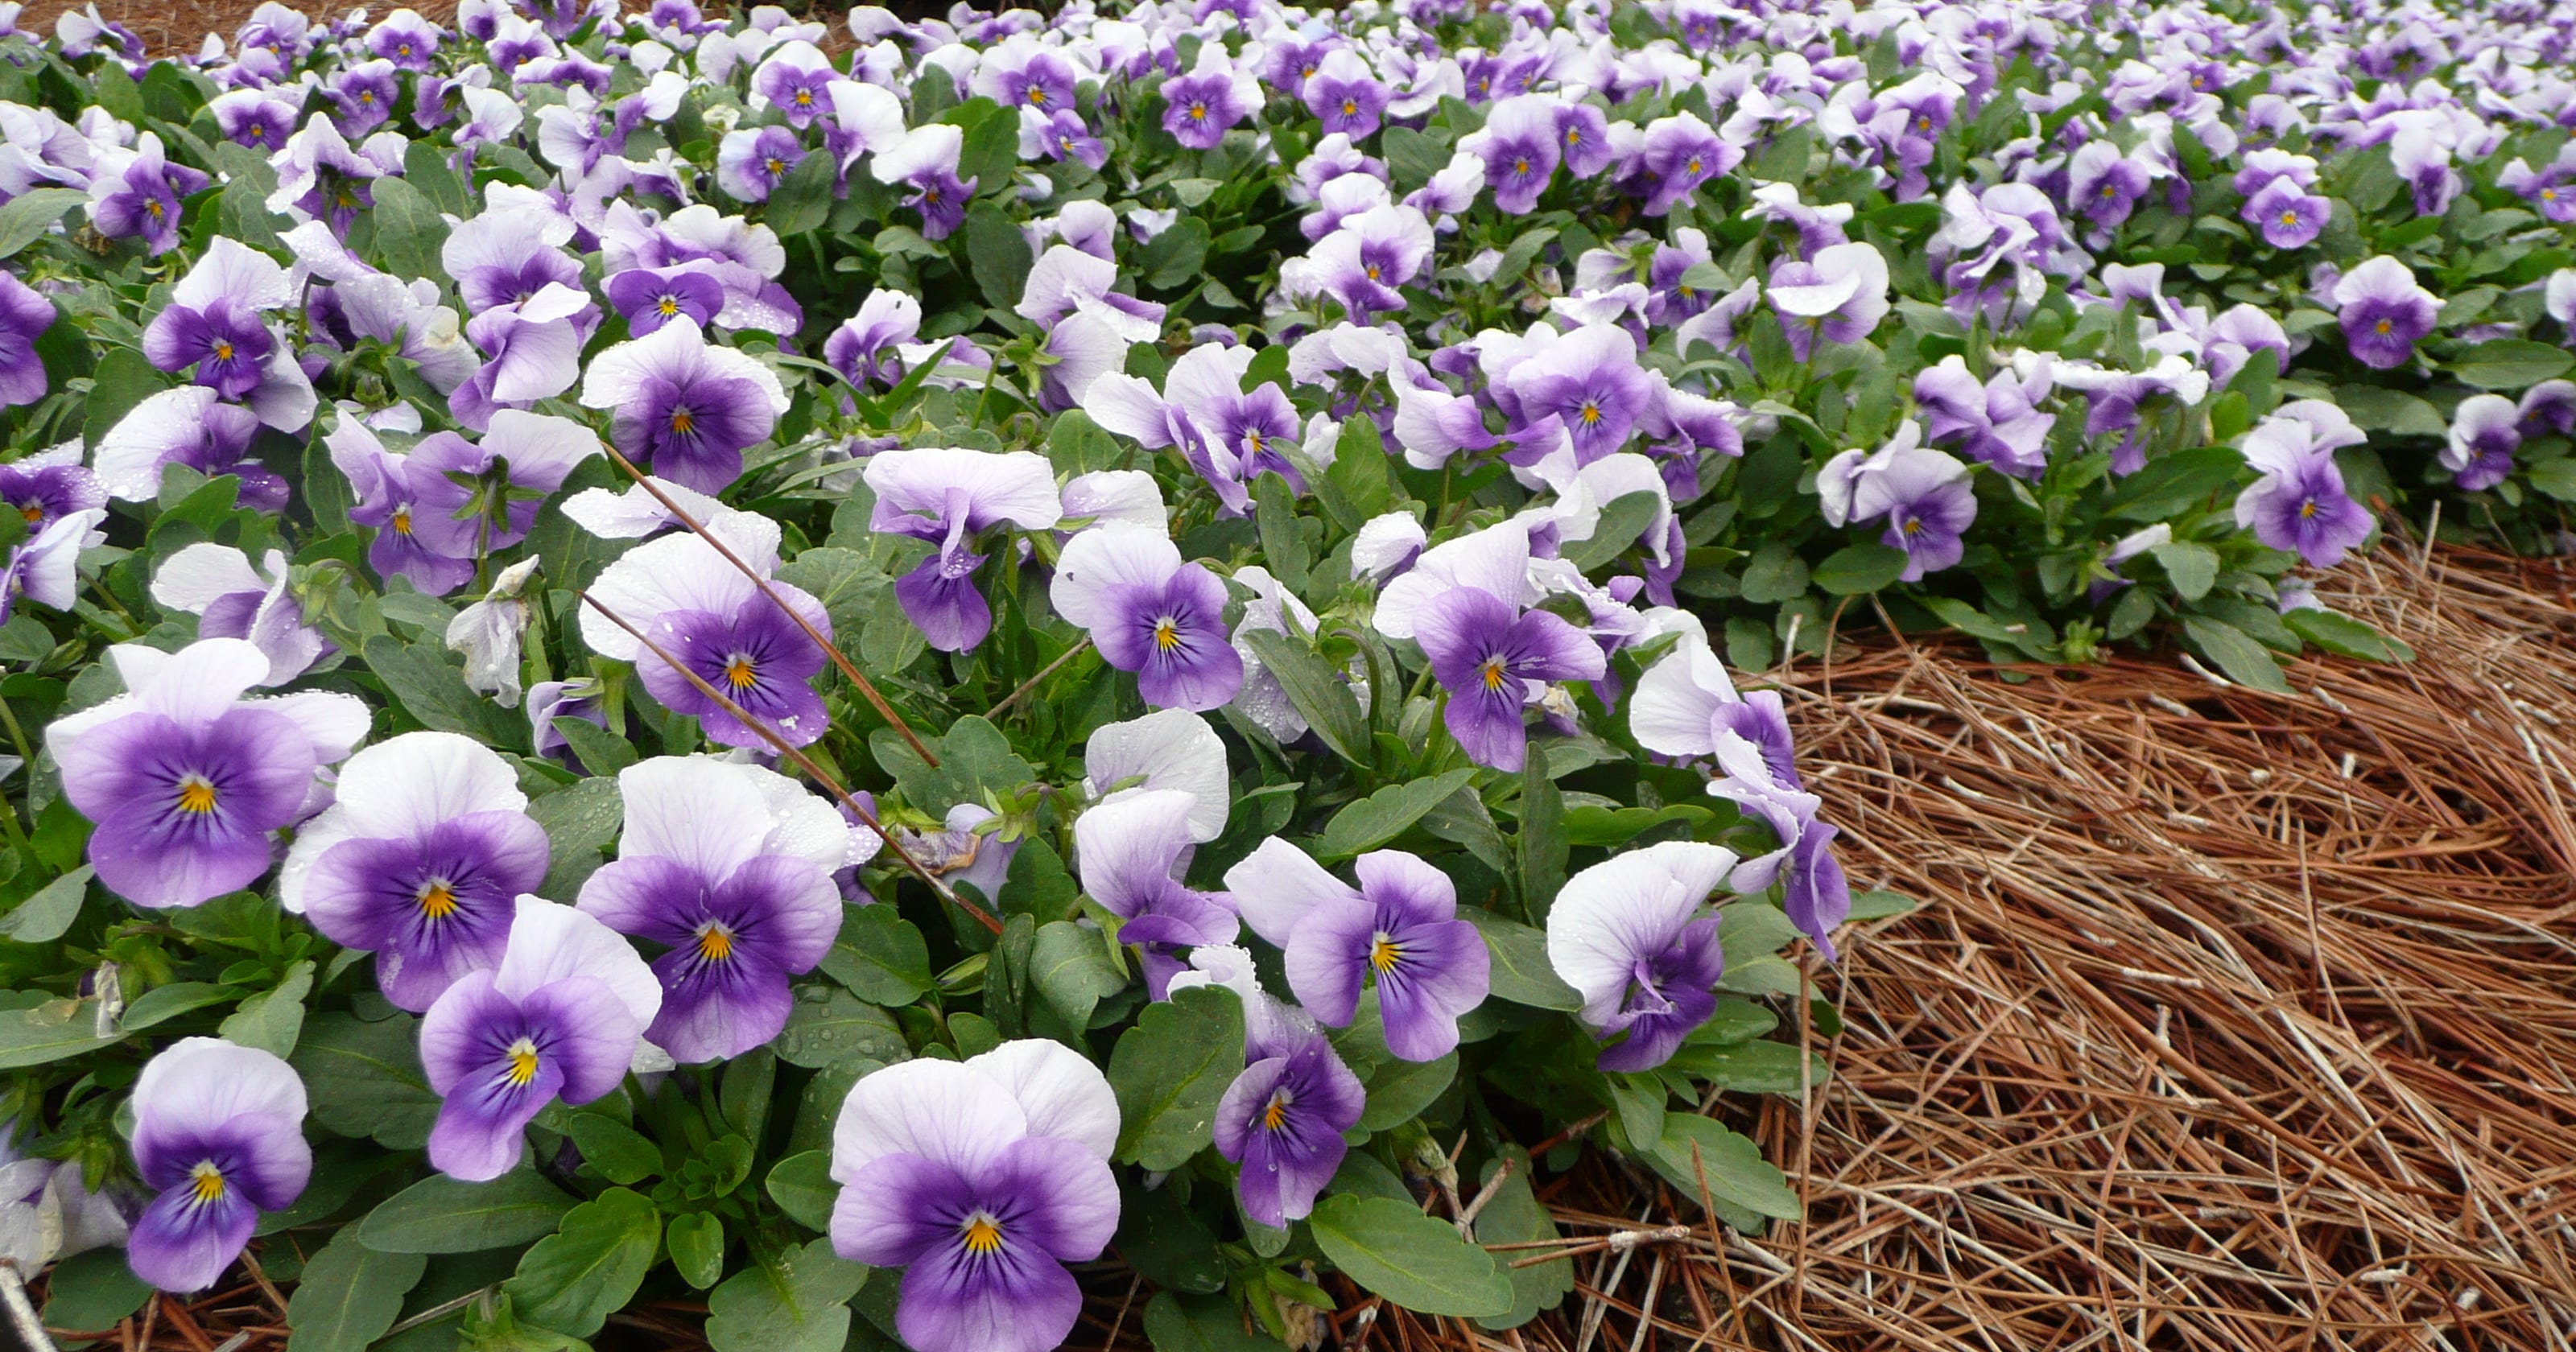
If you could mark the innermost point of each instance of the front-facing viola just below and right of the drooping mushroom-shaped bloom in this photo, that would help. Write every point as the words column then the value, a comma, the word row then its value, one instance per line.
column 1150, row 614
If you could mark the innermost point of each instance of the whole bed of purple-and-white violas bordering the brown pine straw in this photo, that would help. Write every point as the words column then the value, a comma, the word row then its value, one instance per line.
column 658, row 663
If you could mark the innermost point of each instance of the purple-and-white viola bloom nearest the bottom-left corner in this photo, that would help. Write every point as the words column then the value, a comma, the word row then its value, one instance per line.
column 220, row 1140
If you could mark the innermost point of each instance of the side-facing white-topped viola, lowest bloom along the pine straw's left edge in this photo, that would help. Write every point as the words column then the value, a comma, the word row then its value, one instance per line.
column 1637, row 941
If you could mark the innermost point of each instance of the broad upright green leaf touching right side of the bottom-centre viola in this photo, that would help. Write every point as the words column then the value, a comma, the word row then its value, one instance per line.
column 1171, row 1070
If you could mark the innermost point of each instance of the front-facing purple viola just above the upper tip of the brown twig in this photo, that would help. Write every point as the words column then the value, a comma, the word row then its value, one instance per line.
column 684, row 406
